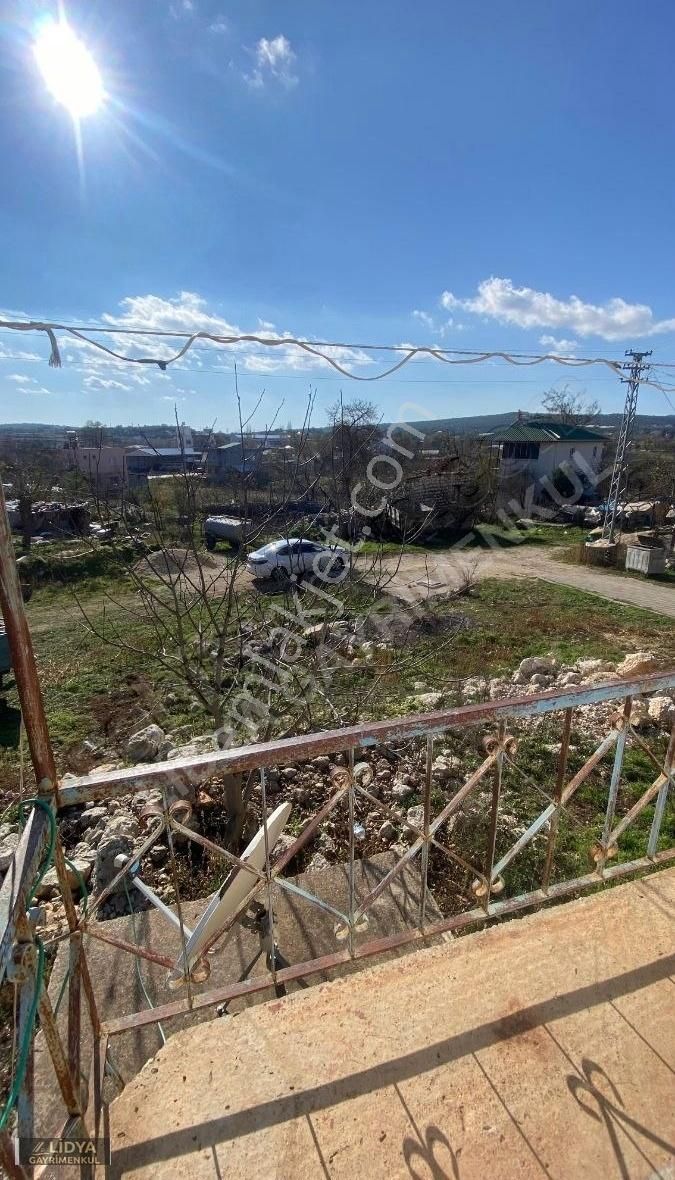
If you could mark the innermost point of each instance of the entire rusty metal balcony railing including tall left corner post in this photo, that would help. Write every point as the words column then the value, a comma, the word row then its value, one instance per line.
column 486, row 869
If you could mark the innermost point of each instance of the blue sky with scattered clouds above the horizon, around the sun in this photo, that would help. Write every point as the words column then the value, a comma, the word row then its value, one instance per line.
column 468, row 175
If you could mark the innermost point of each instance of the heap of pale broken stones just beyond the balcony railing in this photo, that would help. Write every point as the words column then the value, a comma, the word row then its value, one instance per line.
column 96, row 835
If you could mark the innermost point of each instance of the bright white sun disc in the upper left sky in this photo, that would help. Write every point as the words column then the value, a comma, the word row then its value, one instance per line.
column 69, row 70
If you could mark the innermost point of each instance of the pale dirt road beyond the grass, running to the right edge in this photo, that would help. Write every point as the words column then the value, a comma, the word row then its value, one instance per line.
column 421, row 576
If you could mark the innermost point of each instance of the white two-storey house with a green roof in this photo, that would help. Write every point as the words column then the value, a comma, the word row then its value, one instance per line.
column 536, row 448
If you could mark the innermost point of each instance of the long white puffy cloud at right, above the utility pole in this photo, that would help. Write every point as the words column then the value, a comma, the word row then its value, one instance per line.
column 499, row 299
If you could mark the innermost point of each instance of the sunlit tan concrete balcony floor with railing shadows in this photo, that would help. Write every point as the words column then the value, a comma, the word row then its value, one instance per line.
column 543, row 1047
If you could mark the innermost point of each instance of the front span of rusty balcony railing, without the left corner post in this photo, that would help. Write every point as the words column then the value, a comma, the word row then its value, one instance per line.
column 348, row 789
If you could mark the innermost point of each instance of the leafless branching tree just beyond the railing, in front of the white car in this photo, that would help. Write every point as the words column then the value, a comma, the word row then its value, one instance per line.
column 261, row 661
